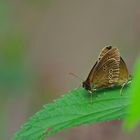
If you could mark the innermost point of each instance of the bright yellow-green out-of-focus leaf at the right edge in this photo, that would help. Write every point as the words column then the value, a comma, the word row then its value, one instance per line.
column 134, row 112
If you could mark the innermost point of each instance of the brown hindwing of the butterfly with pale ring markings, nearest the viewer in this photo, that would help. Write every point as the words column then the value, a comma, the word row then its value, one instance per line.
column 107, row 75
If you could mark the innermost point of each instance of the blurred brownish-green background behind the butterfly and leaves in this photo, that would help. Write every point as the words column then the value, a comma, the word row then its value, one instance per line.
column 42, row 41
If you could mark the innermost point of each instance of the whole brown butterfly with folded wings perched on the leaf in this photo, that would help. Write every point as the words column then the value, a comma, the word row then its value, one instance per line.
column 109, row 70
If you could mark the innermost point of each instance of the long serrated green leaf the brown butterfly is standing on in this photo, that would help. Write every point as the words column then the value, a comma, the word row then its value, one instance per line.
column 74, row 109
